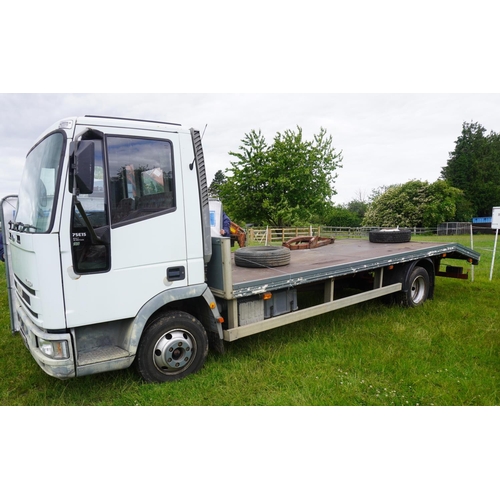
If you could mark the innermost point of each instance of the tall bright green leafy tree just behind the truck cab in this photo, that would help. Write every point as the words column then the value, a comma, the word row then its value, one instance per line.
column 289, row 182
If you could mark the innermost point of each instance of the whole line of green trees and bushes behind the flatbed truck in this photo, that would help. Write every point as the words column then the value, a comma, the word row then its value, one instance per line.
column 291, row 183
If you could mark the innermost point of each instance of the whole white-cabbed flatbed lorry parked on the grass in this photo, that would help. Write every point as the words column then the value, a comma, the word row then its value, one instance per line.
column 110, row 259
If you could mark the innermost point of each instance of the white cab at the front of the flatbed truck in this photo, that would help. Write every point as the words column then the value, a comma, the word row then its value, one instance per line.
column 110, row 231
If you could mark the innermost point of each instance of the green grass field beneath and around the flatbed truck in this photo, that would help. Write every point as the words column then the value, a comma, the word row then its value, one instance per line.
column 446, row 352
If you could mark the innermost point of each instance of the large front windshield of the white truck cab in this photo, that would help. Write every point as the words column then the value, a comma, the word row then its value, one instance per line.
column 39, row 184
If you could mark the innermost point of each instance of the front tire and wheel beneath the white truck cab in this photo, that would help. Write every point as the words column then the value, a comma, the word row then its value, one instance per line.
column 172, row 347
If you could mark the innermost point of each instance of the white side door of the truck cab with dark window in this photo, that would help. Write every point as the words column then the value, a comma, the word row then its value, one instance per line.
column 136, row 247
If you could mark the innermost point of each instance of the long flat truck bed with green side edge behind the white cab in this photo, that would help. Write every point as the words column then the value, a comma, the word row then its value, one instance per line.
column 257, row 299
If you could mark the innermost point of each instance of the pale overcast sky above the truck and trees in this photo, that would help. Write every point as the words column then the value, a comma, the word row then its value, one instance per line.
column 385, row 138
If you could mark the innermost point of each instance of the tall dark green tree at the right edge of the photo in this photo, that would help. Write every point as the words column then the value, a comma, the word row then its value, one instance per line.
column 474, row 167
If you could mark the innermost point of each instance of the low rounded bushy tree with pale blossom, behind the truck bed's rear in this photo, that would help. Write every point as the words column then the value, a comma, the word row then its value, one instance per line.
column 414, row 204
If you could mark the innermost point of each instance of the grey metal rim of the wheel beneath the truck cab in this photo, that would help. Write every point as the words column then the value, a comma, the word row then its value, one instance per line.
column 174, row 351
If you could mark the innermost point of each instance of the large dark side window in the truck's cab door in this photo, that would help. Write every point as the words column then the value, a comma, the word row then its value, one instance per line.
column 141, row 178
